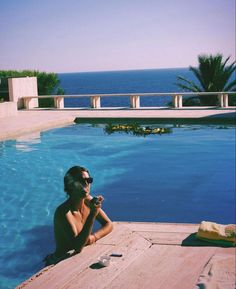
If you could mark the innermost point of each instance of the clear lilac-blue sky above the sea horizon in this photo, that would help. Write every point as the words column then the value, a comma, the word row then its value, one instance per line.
column 98, row 35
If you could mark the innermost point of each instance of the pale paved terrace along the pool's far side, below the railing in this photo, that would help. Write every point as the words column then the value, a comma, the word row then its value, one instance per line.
column 28, row 121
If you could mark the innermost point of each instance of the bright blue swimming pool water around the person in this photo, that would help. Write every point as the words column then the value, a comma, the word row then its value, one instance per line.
column 183, row 175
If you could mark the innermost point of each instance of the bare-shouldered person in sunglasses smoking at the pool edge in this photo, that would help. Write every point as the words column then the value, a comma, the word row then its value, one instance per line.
column 74, row 219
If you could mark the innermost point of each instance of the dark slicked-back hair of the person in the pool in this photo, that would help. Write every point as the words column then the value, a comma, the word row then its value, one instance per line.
column 73, row 176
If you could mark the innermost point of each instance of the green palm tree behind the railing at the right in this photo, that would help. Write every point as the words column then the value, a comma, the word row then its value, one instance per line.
column 212, row 75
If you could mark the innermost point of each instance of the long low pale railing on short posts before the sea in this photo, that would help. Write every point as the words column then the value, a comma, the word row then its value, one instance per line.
column 95, row 99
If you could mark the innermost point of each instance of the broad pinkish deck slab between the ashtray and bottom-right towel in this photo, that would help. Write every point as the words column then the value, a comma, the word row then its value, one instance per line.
column 164, row 267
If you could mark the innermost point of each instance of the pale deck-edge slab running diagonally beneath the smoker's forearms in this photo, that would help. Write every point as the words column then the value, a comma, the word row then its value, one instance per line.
column 57, row 276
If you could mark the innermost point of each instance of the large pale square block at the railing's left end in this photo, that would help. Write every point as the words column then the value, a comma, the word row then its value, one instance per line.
column 23, row 86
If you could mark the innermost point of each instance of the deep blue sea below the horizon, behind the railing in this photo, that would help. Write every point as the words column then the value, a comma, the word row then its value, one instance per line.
column 150, row 80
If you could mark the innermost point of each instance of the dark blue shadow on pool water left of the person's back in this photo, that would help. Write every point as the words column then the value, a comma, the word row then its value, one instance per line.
column 26, row 261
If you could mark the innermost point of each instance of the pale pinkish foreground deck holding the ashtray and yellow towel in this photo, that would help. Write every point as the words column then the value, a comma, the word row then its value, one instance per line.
column 154, row 256
